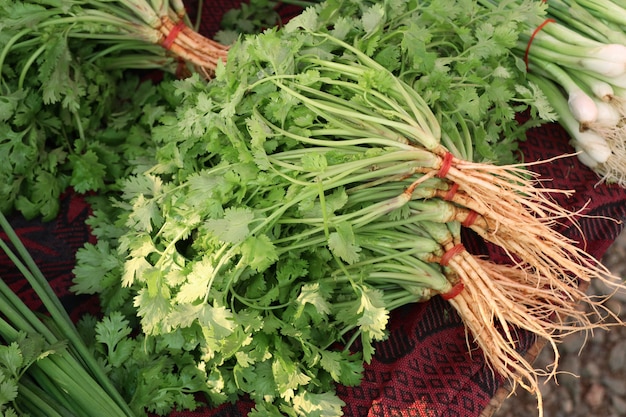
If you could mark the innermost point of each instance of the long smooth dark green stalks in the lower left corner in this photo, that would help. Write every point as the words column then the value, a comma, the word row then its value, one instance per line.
column 56, row 374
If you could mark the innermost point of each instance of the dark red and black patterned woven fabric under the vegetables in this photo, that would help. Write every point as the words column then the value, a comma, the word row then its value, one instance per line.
column 425, row 368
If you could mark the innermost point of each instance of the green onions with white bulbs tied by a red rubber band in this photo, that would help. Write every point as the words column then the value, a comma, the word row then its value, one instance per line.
column 580, row 47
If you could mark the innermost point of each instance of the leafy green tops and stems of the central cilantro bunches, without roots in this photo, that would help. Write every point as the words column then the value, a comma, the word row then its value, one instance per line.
column 276, row 248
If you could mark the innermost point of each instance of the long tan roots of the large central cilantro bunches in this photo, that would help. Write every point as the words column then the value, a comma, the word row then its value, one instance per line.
column 538, row 291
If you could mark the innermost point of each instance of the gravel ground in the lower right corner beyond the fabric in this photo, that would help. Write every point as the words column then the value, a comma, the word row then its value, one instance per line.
column 596, row 386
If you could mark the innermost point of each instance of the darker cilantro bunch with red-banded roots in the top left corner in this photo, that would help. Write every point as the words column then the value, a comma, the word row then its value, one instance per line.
column 65, row 74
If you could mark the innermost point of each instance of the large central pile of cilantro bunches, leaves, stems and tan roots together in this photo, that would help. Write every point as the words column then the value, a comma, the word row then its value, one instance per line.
column 265, row 223
